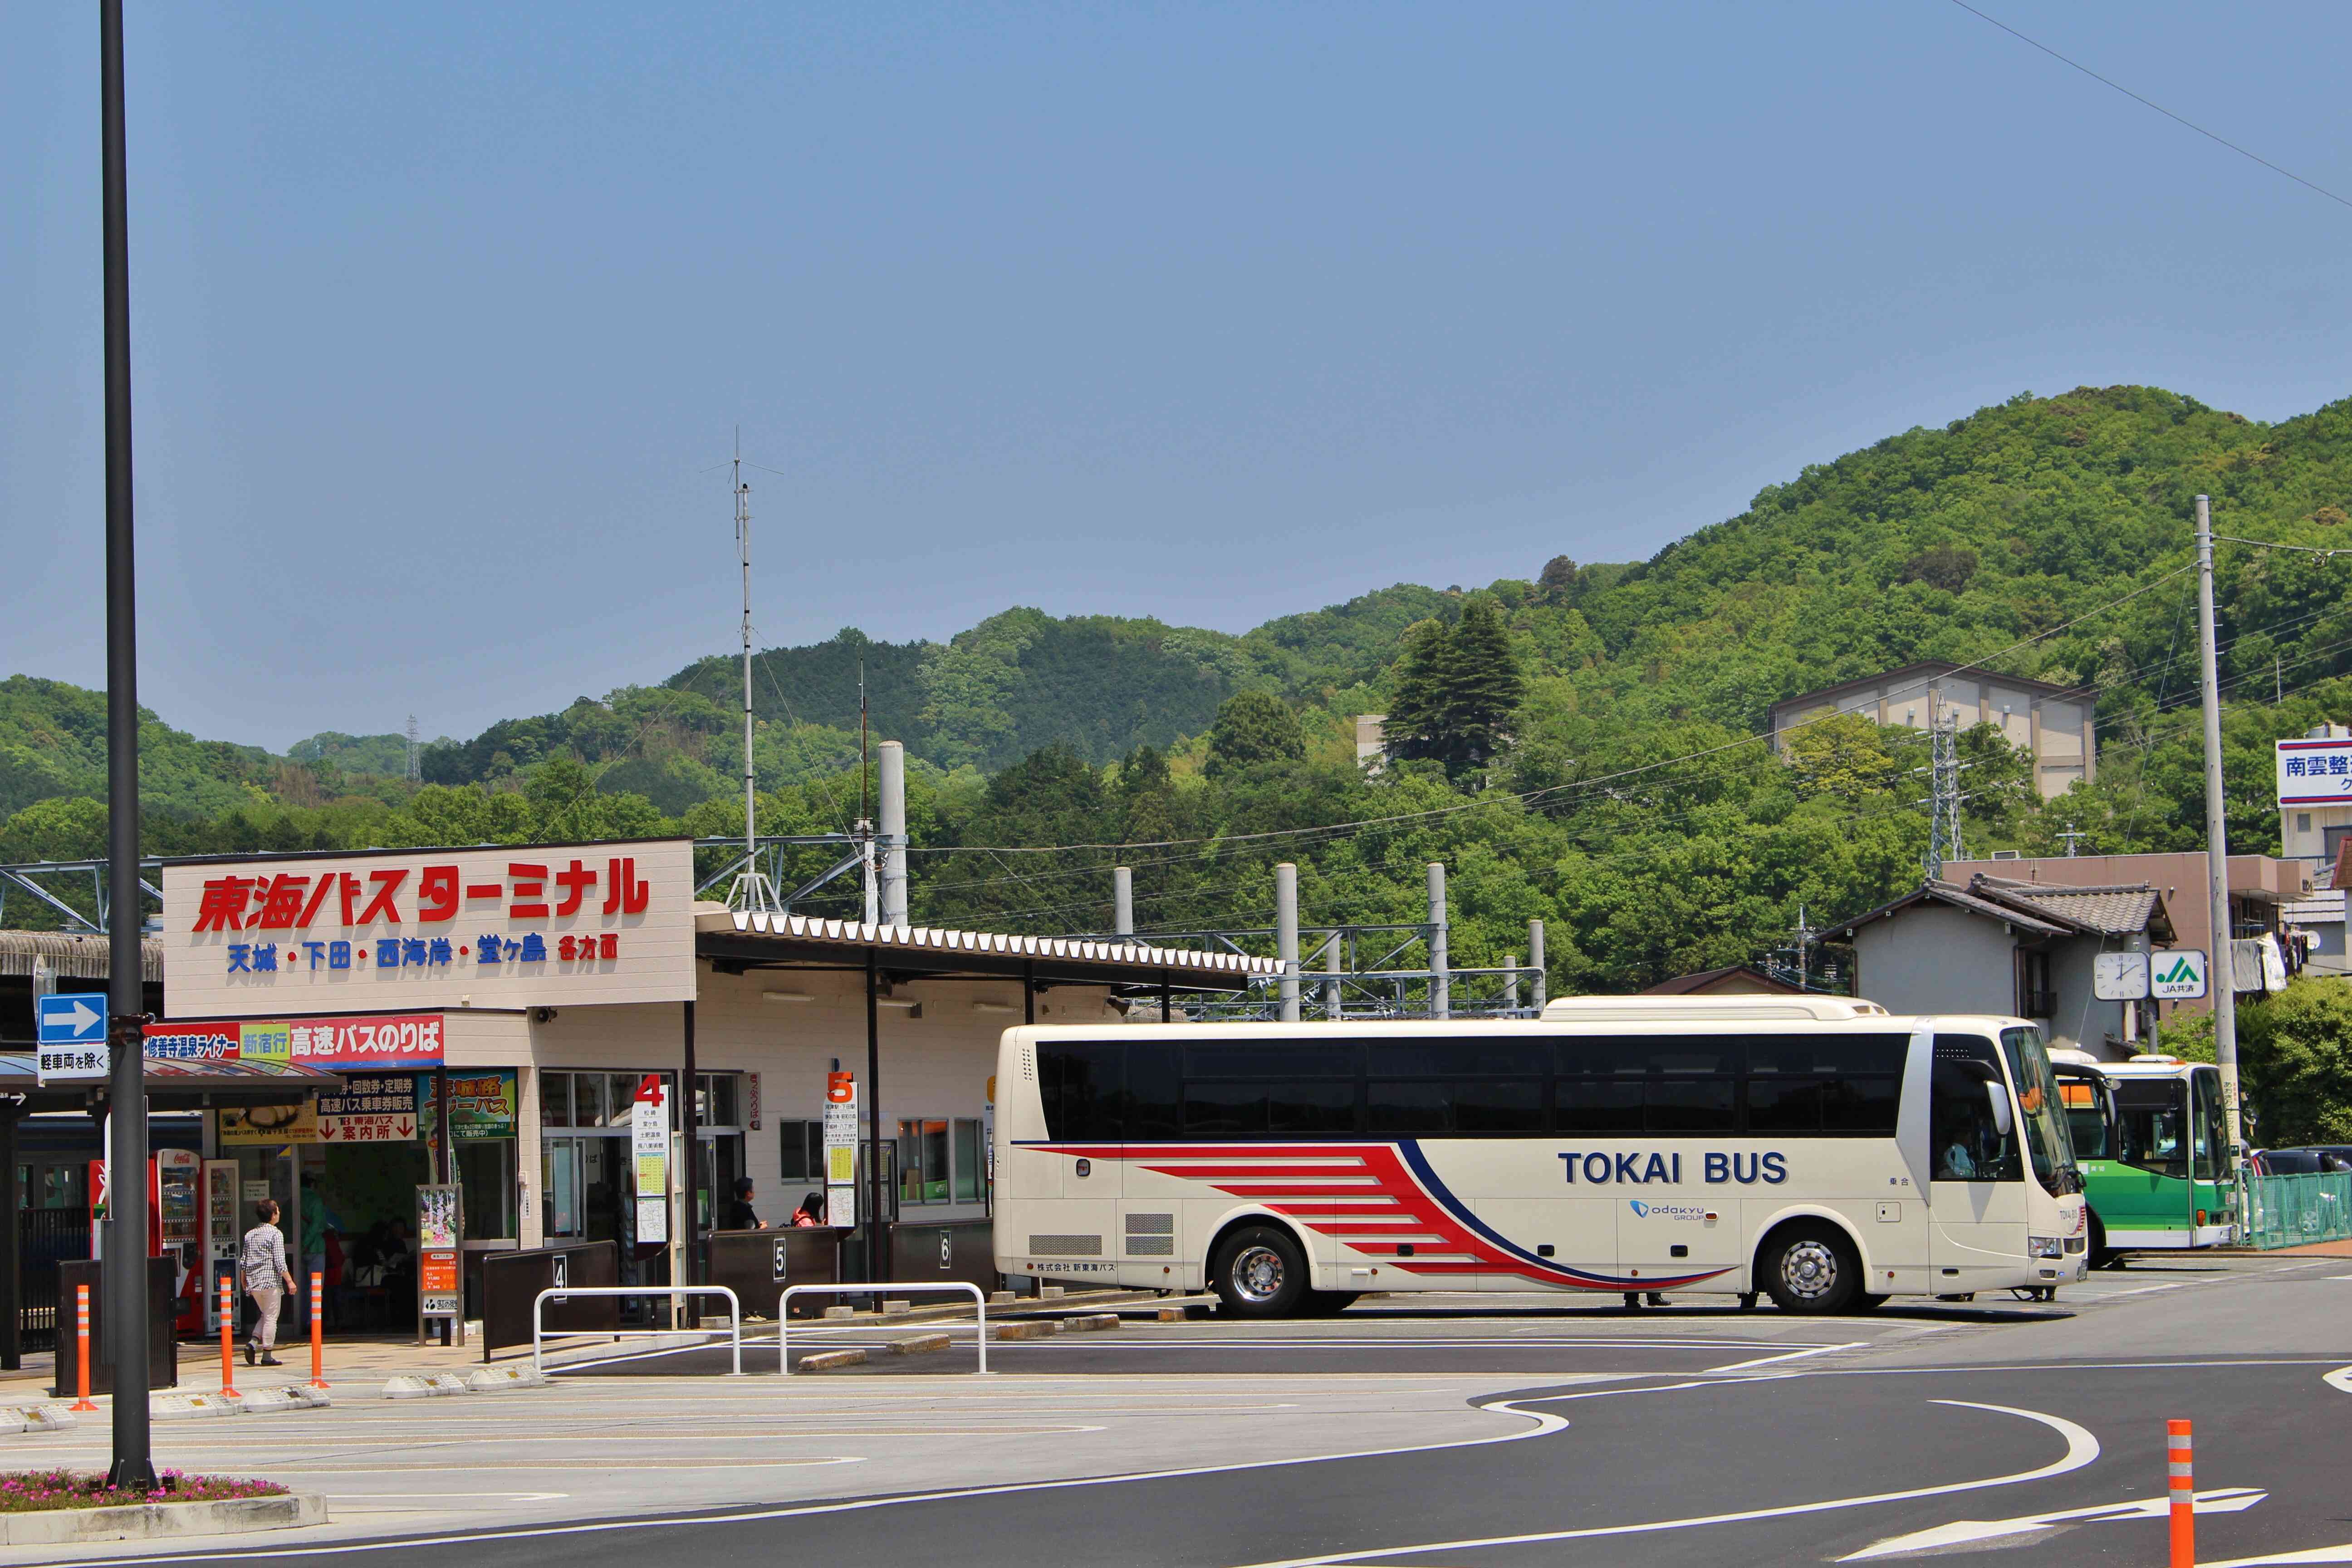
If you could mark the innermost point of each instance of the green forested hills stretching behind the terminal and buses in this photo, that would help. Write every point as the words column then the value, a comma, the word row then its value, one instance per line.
column 1629, row 803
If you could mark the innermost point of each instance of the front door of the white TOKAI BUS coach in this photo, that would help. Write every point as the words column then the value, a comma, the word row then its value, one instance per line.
column 1977, row 1167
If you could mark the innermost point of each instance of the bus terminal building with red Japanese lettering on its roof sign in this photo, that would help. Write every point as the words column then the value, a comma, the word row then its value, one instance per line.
column 516, row 1000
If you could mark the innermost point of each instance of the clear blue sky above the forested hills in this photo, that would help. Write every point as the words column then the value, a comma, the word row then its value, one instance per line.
column 443, row 314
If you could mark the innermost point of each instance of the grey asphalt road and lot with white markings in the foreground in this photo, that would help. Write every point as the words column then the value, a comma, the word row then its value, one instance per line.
column 1408, row 1435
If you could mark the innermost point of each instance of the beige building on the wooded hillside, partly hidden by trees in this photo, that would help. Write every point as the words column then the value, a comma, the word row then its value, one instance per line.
column 2050, row 723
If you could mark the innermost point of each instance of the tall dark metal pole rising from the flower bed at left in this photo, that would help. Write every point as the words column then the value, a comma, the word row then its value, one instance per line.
column 126, row 1083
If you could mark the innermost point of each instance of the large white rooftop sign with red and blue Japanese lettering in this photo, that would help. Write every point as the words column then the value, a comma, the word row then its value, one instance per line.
column 432, row 930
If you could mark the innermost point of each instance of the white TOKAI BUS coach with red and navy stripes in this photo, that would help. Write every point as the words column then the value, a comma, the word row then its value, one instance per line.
column 1810, row 1148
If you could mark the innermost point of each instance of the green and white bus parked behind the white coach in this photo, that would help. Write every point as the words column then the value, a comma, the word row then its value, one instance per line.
column 2153, row 1153
